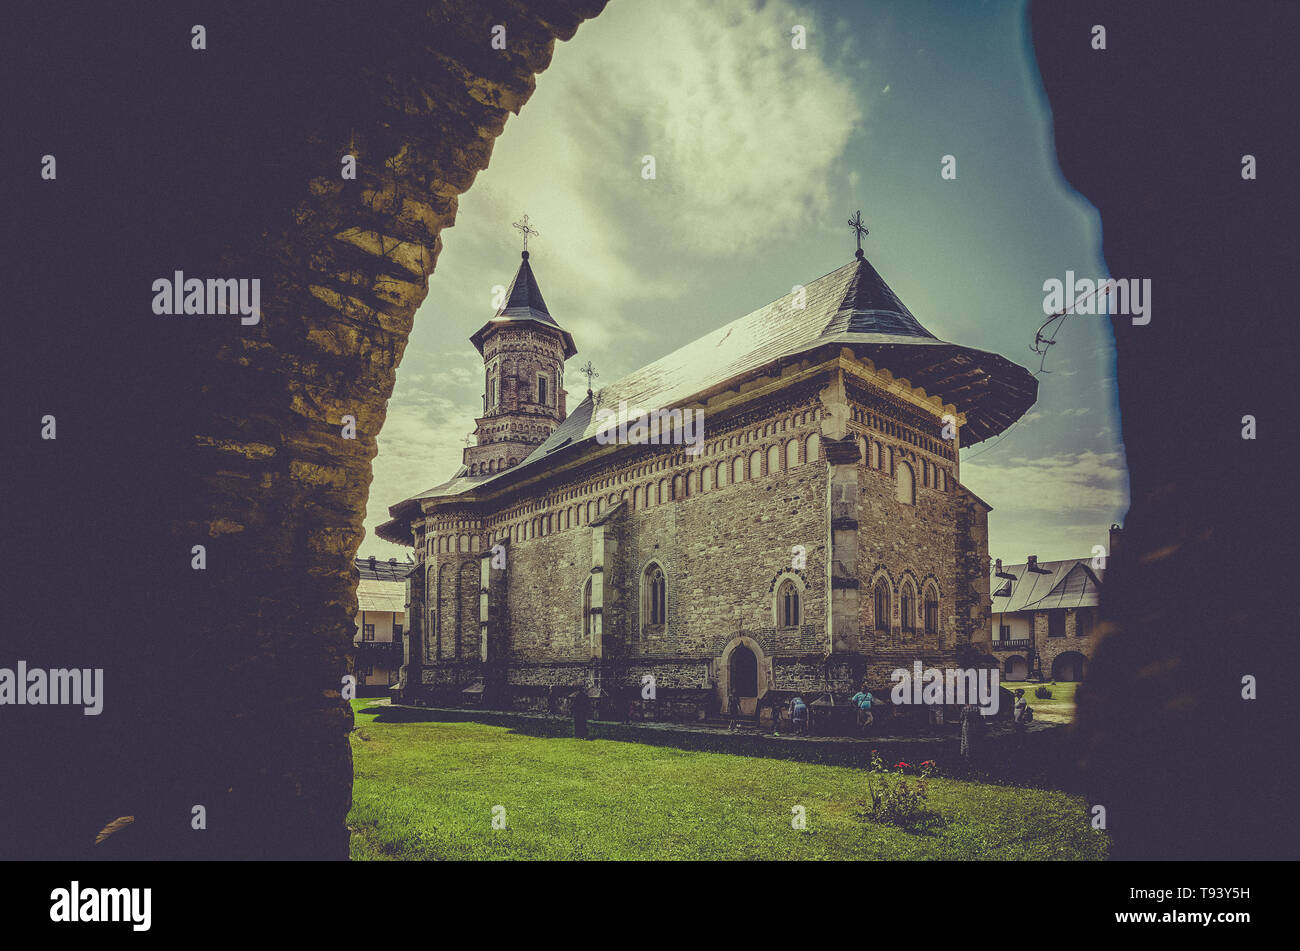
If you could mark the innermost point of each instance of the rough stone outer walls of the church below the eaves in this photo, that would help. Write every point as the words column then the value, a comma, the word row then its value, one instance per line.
column 723, row 545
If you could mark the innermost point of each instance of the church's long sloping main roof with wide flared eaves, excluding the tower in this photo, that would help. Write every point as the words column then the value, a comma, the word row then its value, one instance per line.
column 851, row 307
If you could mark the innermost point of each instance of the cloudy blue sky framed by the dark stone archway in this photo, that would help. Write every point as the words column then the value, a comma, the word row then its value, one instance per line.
column 761, row 155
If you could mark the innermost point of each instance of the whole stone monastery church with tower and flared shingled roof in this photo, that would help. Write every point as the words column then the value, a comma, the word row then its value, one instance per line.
column 820, row 539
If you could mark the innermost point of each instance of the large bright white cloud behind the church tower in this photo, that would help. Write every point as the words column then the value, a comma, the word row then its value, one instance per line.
column 746, row 132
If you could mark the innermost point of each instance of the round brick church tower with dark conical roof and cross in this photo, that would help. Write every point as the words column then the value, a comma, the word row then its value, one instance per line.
column 525, row 353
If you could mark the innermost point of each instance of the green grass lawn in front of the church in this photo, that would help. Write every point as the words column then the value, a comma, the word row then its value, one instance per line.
column 427, row 791
